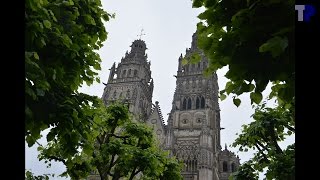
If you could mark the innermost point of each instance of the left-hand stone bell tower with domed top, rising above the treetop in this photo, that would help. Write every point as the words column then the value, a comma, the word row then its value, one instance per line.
column 131, row 81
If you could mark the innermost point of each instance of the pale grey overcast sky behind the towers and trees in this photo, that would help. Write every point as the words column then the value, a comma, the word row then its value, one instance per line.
column 168, row 26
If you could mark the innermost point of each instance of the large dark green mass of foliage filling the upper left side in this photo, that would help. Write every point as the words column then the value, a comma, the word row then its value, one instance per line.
column 61, row 39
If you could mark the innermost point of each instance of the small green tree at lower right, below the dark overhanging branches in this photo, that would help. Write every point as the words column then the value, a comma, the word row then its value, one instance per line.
column 270, row 127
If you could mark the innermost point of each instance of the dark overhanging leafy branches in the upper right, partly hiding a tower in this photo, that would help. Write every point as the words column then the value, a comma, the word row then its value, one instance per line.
column 255, row 39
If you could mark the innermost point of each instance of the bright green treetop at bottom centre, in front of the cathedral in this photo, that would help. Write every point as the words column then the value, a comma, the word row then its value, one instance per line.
column 117, row 148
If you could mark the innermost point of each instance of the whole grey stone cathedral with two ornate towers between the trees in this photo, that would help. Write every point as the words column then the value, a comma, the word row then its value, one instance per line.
column 192, row 132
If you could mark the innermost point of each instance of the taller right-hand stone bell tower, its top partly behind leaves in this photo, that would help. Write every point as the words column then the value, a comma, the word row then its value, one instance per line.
column 193, row 132
